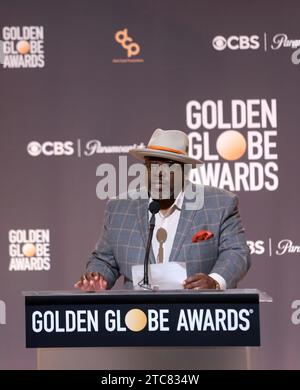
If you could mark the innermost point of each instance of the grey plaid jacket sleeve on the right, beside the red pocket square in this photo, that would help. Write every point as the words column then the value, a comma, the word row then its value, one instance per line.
column 233, row 256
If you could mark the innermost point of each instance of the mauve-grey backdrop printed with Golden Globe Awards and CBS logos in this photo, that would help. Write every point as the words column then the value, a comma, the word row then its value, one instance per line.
column 82, row 82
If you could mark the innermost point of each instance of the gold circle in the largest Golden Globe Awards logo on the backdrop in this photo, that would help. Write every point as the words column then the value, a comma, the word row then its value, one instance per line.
column 231, row 145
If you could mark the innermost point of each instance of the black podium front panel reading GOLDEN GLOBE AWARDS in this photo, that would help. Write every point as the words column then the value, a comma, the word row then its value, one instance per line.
column 142, row 318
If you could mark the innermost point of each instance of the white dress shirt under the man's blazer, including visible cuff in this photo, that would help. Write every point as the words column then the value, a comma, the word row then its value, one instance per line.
column 169, row 222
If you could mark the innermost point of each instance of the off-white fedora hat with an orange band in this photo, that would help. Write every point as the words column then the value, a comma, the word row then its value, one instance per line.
column 168, row 144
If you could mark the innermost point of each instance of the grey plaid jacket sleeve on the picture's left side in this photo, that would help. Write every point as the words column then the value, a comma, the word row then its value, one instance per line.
column 102, row 259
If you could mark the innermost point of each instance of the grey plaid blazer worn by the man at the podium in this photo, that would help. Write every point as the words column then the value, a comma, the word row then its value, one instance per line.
column 124, row 235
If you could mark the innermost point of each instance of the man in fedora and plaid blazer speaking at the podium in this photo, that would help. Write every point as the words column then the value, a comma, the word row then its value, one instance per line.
column 206, row 235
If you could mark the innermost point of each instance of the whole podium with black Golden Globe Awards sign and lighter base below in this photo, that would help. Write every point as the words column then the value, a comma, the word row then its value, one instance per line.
column 138, row 329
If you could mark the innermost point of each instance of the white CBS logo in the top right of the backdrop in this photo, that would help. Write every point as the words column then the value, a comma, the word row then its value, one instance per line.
column 242, row 42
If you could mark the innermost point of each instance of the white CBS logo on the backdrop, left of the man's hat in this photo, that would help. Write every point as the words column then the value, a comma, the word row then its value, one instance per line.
column 56, row 148
